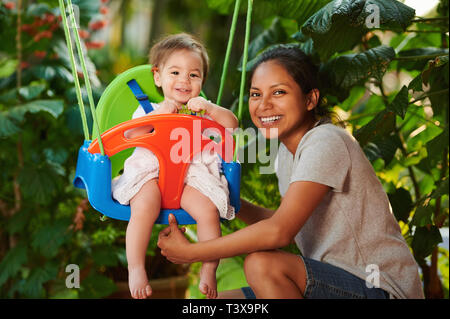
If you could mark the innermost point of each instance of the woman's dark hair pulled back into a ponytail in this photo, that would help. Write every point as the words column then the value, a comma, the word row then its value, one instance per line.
column 300, row 67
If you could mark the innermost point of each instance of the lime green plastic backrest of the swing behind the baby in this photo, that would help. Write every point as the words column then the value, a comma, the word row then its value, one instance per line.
column 118, row 103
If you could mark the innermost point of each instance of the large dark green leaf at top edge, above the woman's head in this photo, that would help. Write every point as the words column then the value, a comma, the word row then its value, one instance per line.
column 340, row 24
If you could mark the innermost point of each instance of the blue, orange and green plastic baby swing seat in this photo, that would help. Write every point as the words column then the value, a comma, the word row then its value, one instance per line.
column 94, row 171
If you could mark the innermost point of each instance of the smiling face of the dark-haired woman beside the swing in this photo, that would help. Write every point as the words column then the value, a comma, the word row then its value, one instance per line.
column 277, row 104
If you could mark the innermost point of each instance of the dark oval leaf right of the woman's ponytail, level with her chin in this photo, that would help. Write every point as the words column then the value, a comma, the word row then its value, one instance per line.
column 381, row 125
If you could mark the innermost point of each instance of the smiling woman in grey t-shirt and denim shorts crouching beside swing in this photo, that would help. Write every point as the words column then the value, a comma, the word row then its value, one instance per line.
column 333, row 204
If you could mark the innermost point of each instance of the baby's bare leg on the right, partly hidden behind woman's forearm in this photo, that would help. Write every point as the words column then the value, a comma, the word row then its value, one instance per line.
column 206, row 215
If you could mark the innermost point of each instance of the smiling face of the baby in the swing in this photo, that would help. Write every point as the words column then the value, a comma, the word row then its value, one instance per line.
column 181, row 76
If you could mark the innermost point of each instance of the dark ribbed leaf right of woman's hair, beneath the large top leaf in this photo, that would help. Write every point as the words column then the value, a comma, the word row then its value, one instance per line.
column 345, row 71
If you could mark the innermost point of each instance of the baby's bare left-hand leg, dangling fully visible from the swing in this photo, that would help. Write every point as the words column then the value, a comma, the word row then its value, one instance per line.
column 145, row 208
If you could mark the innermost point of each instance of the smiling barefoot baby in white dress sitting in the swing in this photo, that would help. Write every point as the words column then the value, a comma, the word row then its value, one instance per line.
column 180, row 66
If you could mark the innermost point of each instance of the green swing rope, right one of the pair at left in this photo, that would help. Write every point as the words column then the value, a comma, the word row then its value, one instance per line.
column 86, row 75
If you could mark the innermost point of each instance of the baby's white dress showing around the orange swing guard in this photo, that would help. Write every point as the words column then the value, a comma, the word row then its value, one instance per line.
column 204, row 174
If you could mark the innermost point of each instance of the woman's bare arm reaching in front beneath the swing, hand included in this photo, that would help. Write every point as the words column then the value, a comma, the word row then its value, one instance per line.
column 277, row 231
